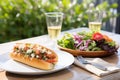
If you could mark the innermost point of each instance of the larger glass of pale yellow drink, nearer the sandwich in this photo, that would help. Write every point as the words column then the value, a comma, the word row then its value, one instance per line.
column 54, row 24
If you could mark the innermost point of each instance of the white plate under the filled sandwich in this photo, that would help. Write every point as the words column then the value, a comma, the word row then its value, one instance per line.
column 64, row 60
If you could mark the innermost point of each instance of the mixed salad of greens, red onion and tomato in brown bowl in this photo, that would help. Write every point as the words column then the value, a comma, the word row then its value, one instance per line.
column 87, row 41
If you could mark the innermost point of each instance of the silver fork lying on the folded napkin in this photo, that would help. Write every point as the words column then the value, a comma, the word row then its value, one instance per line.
column 101, row 67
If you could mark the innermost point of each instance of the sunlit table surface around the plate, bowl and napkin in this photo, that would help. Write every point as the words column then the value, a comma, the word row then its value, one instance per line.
column 73, row 72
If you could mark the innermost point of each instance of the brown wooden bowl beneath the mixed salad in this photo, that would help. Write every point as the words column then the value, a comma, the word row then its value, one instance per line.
column 86, row 53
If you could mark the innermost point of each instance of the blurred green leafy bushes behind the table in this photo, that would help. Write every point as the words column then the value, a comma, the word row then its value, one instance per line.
column 21, row 19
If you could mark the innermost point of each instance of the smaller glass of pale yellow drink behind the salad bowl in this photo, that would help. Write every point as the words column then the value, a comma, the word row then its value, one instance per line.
column 95, row 20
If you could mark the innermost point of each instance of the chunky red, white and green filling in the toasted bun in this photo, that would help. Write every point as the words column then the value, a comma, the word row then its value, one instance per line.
column 35, row 51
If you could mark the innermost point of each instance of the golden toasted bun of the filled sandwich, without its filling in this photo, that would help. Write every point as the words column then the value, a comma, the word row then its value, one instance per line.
column 34, row 62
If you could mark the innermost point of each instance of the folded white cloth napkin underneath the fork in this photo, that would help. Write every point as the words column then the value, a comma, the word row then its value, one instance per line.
column 110, row 67
